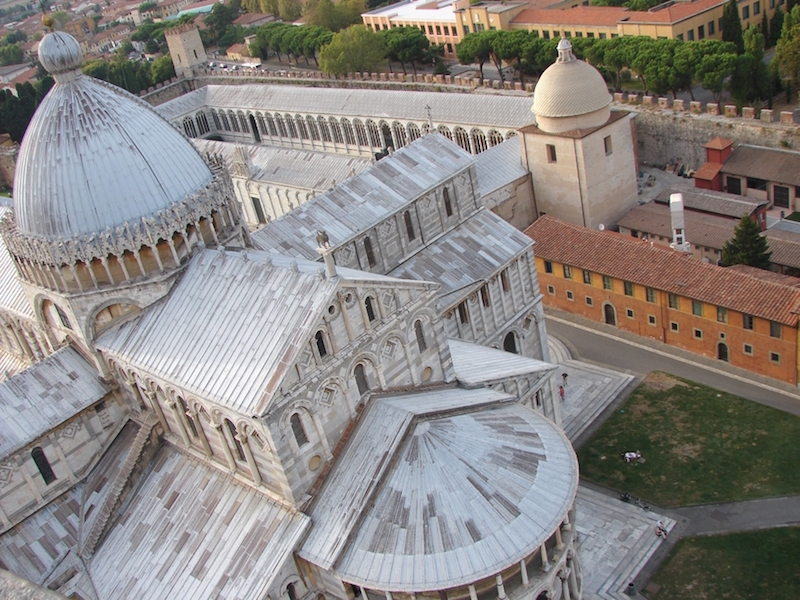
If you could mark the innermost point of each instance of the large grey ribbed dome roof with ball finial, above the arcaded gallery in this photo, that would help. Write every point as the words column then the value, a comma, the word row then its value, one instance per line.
column 95, row 157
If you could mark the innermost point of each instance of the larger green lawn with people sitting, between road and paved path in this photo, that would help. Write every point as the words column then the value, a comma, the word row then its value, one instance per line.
column 699, row 446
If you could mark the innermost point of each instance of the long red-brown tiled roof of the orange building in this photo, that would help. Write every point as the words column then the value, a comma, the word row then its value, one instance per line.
column 631, row 260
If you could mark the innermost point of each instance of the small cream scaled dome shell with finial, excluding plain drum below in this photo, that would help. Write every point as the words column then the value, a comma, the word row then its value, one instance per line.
column 569, row 87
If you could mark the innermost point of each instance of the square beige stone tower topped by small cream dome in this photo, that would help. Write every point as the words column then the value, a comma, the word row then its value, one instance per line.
column 580, row 153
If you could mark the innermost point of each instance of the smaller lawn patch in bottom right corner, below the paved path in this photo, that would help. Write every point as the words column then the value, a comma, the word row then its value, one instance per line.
column 739, row 566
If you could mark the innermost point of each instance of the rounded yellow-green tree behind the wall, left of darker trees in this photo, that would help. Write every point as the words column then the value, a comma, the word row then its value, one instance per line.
column 356, row 49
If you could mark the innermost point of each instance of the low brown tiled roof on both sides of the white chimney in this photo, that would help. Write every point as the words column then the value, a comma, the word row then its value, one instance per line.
column 702, row 229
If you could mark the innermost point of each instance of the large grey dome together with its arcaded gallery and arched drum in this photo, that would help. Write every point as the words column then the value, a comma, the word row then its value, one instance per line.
column 109, row 201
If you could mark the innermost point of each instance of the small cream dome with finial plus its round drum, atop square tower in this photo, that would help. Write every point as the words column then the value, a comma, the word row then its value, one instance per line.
column 570, row 94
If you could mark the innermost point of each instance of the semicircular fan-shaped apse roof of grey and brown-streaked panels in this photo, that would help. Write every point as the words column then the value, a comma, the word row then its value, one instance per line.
column 439, row 489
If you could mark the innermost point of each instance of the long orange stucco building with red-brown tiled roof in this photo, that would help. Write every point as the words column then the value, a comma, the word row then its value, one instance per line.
column 740, row 315
